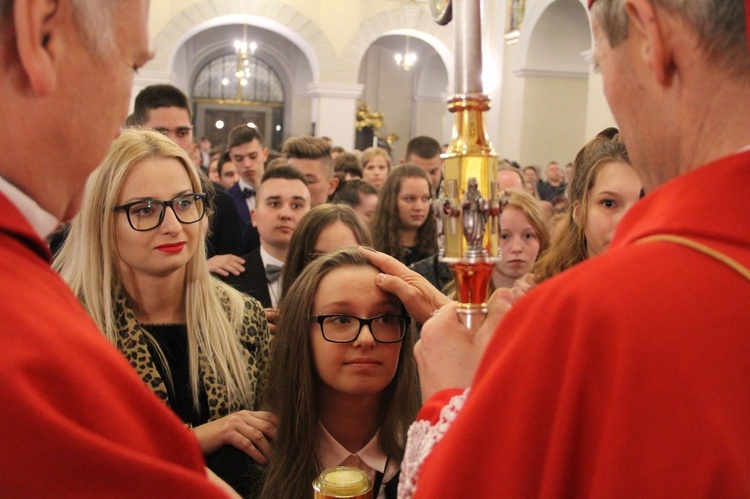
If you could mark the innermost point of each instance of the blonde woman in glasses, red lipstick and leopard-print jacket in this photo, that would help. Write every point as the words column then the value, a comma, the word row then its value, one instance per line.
column 136, row 259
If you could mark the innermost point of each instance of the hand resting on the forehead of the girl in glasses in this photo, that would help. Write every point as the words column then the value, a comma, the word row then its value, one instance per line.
column 419, row 297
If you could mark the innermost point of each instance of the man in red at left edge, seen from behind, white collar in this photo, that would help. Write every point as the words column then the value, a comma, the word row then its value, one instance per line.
column 76, row 419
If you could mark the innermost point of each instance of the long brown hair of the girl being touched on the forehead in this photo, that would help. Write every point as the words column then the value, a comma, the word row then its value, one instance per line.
column 291, row 389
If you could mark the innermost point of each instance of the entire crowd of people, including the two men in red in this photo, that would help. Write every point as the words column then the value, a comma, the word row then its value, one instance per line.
column 231, row 321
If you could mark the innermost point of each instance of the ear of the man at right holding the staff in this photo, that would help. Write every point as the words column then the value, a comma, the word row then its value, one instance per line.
column 654, row 35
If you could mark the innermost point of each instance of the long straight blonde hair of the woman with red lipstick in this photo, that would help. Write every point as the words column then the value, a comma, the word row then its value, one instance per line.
column 87, row 262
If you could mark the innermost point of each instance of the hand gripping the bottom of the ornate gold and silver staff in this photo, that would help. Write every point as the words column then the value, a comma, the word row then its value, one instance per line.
column 448, row 353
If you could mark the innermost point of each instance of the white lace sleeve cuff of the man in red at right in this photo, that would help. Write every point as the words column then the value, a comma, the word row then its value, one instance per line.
column 421, row 438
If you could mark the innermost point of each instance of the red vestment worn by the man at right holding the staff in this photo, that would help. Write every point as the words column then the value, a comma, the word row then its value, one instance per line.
column 628, row 375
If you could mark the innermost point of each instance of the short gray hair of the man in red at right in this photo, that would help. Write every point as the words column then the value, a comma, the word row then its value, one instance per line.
column 719, row 24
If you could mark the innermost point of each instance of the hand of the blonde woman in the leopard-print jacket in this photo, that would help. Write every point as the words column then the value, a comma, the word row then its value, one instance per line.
column 249, row 431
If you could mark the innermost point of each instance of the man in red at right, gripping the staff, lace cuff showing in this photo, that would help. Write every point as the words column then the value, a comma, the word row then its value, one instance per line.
column 626, row 376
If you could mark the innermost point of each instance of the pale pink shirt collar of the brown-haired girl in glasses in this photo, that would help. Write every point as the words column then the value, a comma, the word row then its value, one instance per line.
column 369, row 459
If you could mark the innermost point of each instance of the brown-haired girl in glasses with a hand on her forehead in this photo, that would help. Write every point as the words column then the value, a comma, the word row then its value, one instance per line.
column 343, row 378
